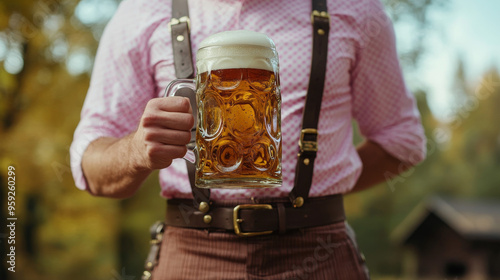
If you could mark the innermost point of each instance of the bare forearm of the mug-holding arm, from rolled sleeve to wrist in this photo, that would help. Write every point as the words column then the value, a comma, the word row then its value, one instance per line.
column 109, row 168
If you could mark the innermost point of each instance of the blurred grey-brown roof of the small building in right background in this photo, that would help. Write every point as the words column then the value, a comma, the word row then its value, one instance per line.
column 473, row 219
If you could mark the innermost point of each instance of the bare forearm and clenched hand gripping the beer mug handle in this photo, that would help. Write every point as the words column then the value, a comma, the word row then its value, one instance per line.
column 116, row 167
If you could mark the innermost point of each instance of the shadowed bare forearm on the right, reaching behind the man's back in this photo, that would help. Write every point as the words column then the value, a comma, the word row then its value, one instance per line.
column 376, row 164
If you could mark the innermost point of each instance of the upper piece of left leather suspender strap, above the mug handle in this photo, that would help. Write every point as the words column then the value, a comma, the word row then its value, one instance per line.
column 181, row 39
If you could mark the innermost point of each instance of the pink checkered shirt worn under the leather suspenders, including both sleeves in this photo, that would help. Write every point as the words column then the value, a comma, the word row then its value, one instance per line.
column 363, row 82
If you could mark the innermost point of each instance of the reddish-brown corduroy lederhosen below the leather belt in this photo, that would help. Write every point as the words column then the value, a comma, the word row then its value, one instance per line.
column 322, row 253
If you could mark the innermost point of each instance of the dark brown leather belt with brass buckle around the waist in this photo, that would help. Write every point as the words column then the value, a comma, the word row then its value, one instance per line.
column 276, row 216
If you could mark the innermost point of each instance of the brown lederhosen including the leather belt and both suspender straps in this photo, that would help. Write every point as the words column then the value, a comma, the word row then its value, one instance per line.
column 291, row 238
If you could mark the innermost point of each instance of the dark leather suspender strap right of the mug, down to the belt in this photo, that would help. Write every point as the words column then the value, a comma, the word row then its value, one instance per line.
column 308, row 144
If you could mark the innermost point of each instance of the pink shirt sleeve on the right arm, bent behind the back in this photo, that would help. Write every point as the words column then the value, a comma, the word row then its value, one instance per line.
column 382, row 105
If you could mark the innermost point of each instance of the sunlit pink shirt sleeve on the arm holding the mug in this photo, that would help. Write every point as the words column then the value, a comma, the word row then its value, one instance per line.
column 122, row 82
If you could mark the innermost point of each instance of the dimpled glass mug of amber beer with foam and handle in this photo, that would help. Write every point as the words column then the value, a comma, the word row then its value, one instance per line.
column 238, row 130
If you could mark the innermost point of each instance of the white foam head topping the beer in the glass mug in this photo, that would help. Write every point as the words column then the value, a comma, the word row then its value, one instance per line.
column 237, row 49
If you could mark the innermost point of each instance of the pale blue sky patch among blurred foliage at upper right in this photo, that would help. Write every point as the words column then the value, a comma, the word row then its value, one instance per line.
column 463, row 29
